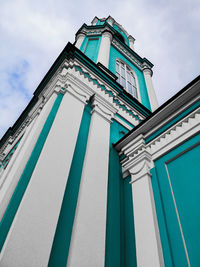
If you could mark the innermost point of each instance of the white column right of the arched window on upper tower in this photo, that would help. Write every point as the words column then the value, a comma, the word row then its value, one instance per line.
column 151, row 92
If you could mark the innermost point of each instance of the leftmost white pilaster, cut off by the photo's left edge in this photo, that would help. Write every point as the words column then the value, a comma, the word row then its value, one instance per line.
column 13, row 172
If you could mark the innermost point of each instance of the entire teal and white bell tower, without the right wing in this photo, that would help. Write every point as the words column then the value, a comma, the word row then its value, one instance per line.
column 63, row 198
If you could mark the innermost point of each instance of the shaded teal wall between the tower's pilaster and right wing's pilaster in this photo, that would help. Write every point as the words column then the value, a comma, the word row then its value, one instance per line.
column 120, row 238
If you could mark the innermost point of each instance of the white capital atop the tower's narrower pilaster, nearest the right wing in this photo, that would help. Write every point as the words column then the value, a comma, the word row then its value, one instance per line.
column 103, row 108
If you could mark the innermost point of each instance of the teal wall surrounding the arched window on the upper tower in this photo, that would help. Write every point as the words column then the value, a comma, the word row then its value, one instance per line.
column 114, row 54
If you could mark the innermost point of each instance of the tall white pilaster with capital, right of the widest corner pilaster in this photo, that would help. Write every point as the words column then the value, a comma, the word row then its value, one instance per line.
column 87, row 246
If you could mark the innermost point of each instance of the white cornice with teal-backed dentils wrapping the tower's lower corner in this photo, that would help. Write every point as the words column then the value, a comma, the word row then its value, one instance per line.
column 73, row 77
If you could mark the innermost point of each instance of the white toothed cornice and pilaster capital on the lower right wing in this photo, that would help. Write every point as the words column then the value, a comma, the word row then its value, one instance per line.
column 137, row 157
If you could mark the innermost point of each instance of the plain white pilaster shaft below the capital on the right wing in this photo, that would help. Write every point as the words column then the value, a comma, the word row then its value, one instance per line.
column 148, row 249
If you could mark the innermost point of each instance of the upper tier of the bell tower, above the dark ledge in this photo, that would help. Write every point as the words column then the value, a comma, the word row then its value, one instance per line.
column 108, row 43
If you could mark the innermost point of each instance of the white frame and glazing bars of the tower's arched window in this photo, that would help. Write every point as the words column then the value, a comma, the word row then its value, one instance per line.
column 125, row 84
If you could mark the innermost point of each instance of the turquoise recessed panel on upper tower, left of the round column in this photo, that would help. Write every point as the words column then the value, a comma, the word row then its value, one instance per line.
column 90, row 47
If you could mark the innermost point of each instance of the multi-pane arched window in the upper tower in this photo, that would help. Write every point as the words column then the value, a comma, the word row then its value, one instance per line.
column 126, row 78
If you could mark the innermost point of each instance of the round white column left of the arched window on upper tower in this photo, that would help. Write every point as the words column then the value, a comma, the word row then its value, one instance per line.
column 104, row 50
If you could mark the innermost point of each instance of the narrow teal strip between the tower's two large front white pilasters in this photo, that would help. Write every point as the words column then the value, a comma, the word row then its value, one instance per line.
column 61, row 243
